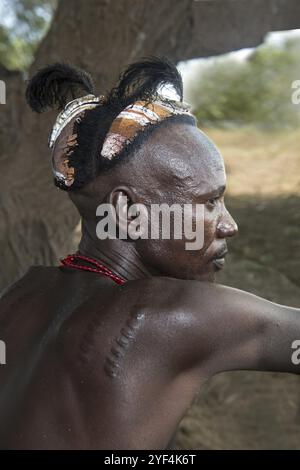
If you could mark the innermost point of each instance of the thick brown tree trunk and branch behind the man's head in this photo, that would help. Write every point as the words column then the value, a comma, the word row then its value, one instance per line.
column 101, row 36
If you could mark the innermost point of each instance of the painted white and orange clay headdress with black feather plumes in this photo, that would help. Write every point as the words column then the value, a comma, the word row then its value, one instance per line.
column 93, row 130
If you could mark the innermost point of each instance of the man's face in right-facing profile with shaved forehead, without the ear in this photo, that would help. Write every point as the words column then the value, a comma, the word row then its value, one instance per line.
column 186, row 168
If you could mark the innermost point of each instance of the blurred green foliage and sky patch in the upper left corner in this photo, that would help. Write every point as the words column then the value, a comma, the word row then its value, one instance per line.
column 20, row 37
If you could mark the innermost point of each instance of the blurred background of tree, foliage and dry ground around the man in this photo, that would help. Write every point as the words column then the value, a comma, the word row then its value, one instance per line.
column 238, row 60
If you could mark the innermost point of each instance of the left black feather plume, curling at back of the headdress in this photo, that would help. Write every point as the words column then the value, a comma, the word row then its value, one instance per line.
column 54, row 85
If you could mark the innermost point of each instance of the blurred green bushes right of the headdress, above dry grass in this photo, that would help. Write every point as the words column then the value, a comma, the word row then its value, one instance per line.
column 257, row 90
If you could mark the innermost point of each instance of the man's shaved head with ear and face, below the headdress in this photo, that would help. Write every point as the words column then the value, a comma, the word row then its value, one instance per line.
column 177, row 164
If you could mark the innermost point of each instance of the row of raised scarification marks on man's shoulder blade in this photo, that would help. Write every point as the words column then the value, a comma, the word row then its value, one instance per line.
column 121, row 345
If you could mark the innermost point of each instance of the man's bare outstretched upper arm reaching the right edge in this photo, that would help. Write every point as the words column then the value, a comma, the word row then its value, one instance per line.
column 229, row 329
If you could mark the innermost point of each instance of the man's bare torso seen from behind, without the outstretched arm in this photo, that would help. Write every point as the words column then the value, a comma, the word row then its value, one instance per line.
column 88, row 365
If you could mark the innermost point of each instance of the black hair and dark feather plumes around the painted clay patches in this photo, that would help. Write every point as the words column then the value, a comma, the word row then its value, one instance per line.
column 54, row 85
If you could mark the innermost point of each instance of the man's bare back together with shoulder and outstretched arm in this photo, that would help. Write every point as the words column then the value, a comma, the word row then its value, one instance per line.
column 93, row 365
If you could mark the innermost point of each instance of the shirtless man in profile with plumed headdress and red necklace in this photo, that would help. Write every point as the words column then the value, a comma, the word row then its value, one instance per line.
column 109, row 350
